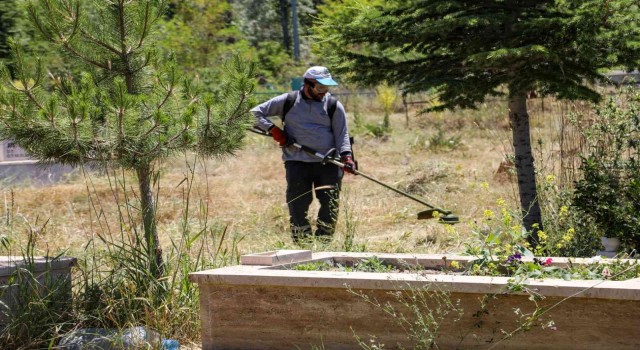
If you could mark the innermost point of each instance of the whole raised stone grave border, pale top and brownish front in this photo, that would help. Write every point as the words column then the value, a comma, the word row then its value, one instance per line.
column 274, row 307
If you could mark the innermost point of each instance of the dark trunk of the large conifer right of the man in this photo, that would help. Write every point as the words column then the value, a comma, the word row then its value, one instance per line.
column 532, row 216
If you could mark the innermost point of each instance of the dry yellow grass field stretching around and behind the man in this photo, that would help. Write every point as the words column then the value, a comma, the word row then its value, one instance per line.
column 246, row 192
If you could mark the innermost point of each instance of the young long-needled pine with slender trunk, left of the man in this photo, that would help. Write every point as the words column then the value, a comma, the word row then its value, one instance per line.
column 127, row 108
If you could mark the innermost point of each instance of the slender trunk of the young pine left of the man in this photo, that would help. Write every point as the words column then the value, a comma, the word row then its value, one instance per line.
column 154, row 251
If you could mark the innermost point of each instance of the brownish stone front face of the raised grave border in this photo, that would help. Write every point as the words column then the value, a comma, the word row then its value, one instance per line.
column 272, row 317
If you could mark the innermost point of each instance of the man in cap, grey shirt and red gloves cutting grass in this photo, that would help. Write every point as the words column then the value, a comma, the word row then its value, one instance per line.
column 311, row 117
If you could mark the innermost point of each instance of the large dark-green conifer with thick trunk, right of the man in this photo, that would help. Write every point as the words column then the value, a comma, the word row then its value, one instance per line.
column 468, row 50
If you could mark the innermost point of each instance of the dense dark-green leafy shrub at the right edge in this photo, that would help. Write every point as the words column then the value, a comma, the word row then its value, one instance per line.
column 609, row 191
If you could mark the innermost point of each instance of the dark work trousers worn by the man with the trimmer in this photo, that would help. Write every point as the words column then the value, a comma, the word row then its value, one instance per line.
column 302, row 179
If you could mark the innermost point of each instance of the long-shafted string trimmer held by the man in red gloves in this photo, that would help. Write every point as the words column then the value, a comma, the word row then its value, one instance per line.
column 443, row 216
